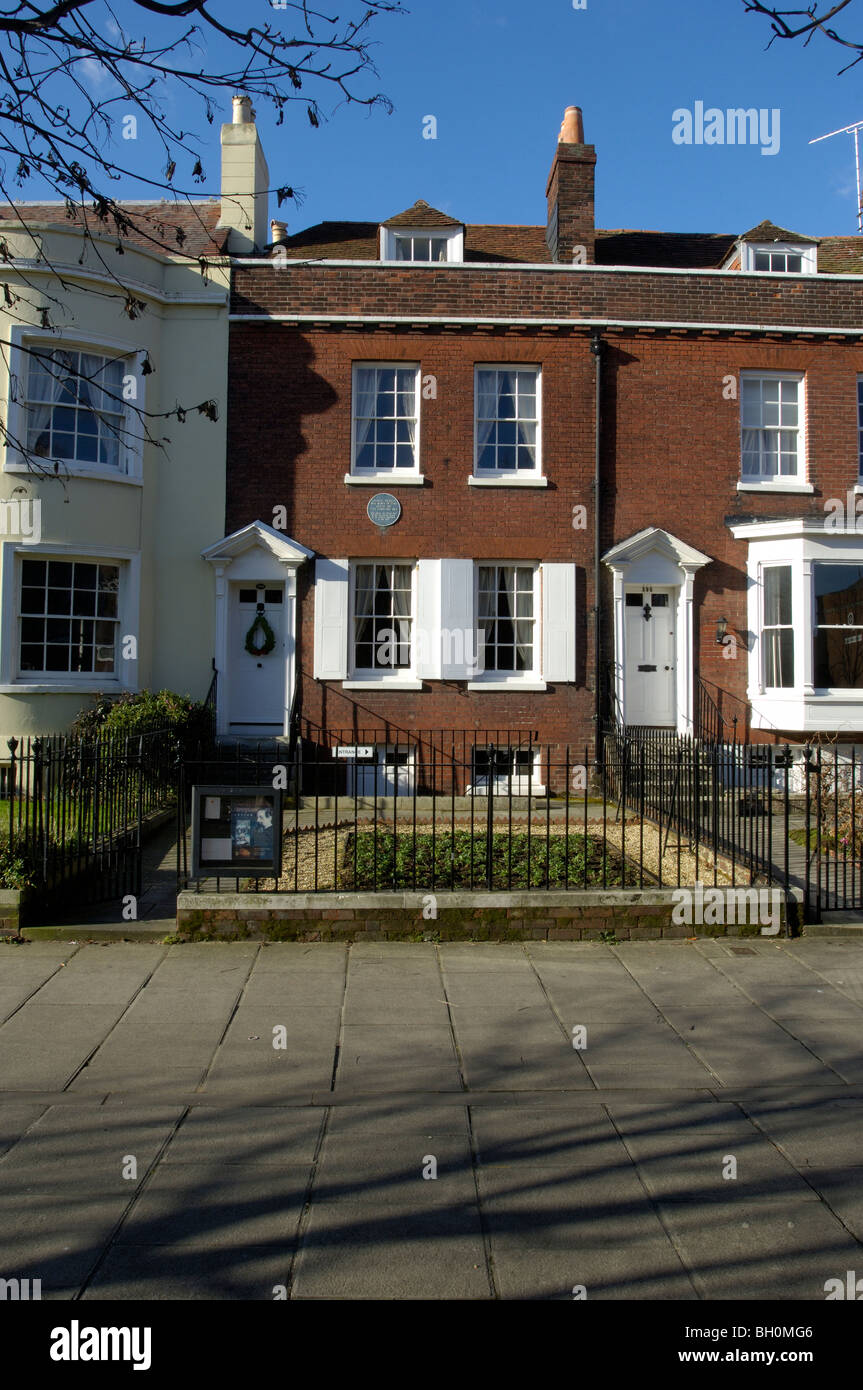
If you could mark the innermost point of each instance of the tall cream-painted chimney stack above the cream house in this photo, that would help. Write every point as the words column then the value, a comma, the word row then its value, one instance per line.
column 245, row 181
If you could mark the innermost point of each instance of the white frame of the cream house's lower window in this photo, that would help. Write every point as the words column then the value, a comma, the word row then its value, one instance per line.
column 13, row 680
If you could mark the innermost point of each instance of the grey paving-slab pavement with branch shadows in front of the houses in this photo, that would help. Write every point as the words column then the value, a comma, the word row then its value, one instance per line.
column 675, row 1121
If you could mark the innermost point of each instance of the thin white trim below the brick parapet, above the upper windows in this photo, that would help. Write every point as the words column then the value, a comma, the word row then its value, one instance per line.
column 539, row 322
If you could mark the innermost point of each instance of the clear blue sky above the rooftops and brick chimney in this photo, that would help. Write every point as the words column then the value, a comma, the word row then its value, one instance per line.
column 498, row 74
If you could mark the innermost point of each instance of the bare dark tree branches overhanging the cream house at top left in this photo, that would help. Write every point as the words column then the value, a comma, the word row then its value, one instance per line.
column 70, row 73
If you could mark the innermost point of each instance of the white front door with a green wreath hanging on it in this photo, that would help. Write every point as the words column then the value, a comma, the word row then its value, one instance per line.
column 256, row 682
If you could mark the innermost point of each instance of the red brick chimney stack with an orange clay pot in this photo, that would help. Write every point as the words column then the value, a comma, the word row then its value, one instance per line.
column 570, row 194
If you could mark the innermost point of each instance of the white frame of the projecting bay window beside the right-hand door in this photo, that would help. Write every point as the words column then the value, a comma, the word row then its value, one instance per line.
column 800, row 544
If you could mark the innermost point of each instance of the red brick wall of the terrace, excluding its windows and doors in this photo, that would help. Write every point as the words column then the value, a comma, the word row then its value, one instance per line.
column 675, row 347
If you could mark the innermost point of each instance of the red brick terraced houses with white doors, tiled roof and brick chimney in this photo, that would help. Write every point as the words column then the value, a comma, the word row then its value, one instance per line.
column 550, row 476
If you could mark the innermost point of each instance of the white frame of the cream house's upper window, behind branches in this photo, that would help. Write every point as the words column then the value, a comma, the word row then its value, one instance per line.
column 130, row 469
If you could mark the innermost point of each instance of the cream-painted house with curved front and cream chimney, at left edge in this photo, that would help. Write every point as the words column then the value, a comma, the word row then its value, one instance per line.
column 102, row 582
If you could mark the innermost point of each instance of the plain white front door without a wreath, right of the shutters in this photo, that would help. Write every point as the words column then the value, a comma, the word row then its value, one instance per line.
column 651, row 657
